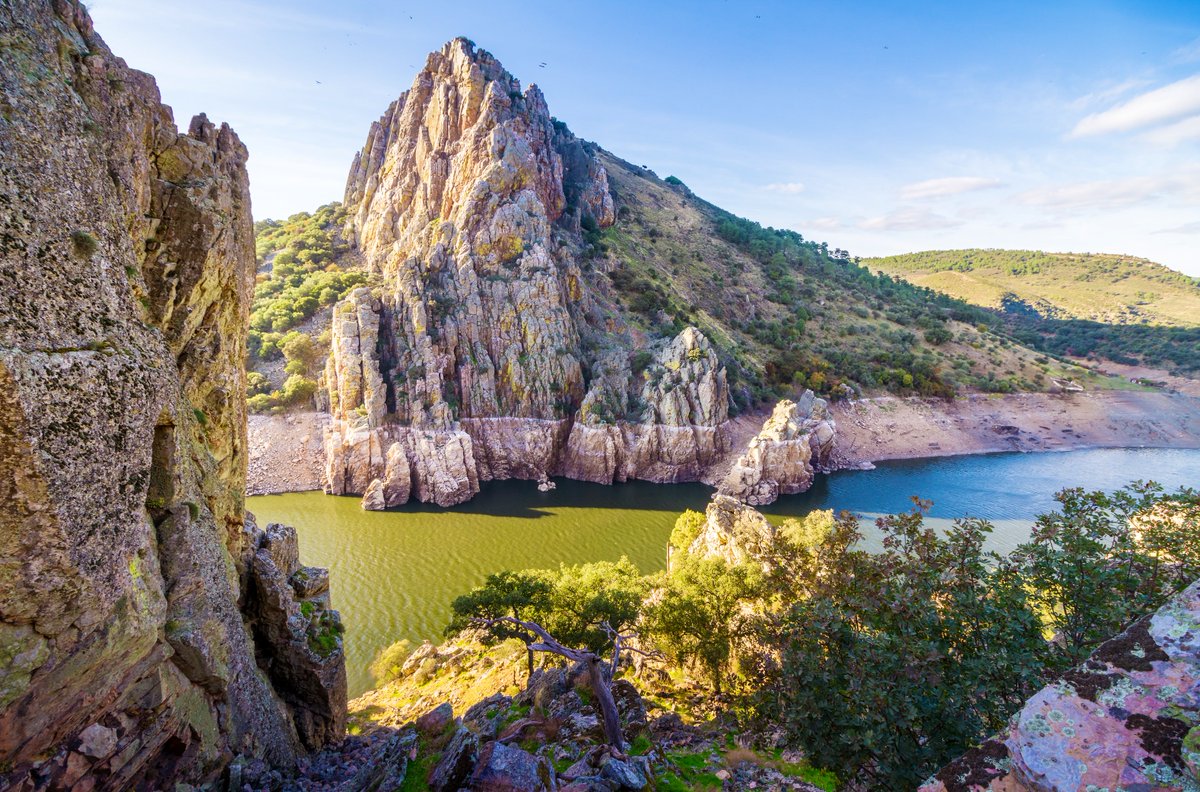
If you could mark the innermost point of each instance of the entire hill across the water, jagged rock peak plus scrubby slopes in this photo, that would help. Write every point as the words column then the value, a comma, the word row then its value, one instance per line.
column 496, row 298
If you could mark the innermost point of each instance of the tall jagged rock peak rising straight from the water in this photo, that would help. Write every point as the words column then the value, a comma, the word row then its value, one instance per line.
column 477, row 357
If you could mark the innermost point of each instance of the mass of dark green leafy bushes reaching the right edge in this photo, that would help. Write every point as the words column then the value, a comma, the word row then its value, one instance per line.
column 892, row 664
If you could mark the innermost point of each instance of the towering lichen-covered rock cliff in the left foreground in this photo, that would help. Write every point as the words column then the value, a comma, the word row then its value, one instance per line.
column 135, row 615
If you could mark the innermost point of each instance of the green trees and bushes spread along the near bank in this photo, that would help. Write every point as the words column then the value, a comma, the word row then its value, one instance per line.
column 881, row 667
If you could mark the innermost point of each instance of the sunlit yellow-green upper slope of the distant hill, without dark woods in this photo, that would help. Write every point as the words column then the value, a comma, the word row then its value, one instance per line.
column 1112, row 290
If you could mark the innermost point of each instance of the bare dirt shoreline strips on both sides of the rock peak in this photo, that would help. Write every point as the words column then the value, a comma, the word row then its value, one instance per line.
column 287, row 452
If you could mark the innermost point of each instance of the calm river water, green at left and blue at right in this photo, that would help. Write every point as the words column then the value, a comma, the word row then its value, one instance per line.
column 395, row 573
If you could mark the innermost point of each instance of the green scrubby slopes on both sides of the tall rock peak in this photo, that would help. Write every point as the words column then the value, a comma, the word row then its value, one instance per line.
column 783, row 313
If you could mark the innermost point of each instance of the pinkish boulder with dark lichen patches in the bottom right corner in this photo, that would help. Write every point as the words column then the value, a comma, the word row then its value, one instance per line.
column 1127, row 719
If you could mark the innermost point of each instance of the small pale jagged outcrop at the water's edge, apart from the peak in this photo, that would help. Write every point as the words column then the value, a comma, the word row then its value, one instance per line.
column 782, row 459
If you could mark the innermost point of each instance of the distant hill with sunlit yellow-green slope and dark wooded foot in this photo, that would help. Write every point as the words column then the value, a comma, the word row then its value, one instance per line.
column 1121, row 309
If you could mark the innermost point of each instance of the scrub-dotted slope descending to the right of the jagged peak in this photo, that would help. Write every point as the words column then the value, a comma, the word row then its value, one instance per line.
column 789, row 316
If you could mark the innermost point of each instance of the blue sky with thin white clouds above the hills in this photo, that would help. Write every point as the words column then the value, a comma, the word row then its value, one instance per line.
column 881, row 128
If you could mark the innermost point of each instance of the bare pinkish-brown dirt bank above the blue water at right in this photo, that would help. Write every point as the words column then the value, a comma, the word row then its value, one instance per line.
column 872, row 430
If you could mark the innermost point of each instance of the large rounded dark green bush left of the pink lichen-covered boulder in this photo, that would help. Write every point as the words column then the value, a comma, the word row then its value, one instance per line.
column 898, row 662
